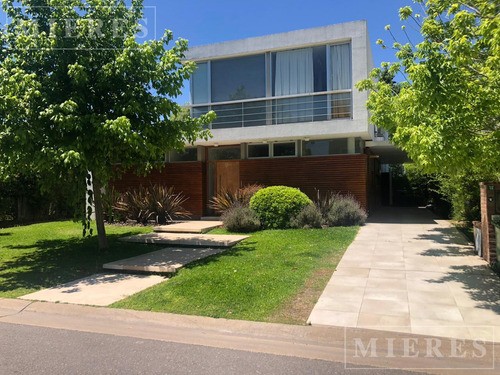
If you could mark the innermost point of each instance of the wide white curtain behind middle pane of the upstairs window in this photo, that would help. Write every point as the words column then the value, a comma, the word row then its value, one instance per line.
column 294, row 75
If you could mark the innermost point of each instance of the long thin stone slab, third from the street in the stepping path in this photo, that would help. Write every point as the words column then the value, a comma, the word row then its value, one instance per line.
column 186, row 239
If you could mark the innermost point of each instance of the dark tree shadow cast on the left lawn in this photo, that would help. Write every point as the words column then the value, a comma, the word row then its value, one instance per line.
column 53, row 262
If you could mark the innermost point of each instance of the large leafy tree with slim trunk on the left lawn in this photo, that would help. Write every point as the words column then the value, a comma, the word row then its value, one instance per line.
column 80, row 96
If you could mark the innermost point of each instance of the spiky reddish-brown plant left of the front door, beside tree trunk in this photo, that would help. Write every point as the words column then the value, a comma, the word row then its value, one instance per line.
column 155, row 202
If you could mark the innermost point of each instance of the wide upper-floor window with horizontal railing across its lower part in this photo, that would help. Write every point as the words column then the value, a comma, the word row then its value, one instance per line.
column 299, row 85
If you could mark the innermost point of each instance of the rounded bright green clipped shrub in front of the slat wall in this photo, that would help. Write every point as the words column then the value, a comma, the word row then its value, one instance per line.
column 276, row 205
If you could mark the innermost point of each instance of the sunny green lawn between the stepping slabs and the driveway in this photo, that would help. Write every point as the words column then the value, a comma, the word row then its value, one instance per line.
column 254, row 280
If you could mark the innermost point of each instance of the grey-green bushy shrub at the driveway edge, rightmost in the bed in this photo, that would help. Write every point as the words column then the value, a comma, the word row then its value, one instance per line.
column 346, row 211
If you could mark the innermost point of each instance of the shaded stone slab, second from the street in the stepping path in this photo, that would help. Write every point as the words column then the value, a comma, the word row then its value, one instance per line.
column 162, row 261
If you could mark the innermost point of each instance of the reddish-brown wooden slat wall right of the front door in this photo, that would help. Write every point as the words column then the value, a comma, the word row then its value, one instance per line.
column 341, row 173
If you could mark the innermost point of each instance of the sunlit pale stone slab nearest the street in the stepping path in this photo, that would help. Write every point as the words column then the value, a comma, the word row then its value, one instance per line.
column 101, row 289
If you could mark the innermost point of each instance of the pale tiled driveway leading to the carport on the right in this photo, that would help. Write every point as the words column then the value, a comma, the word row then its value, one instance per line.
column 409, row 272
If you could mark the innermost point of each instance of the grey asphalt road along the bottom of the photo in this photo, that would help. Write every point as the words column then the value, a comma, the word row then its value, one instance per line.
column 37, row 350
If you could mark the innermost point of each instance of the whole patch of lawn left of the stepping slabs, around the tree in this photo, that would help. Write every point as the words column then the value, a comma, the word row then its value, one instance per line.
column 40, row 256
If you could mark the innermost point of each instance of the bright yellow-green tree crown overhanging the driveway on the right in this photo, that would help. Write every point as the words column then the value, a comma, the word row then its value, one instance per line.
column 446, row 113
